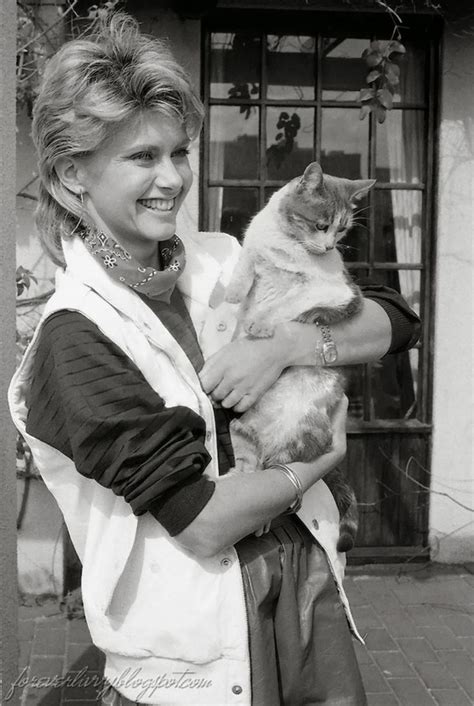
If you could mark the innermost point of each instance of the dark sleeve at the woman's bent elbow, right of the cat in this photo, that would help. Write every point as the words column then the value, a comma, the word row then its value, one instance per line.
column 405, row 323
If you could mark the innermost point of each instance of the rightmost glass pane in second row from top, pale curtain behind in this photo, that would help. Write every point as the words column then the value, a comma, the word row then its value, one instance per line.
column 400, row 142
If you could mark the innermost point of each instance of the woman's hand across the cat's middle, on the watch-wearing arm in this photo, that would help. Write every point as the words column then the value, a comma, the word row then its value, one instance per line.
column 240, row 372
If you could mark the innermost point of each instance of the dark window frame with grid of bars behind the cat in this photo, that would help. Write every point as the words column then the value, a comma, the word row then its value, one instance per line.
column 357, row 24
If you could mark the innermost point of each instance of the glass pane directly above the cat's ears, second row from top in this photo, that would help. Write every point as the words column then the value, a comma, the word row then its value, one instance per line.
column 344, row 143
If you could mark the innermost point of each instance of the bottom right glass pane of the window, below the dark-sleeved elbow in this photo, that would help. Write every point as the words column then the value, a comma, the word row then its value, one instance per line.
column 394, row 386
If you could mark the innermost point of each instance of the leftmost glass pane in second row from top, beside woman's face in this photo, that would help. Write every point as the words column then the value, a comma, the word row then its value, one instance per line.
column 234, row 146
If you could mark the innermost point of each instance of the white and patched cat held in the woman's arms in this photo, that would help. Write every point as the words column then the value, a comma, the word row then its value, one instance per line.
column 291, row 270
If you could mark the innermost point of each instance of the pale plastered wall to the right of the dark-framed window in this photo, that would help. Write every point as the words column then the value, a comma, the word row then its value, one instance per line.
column 451, row 525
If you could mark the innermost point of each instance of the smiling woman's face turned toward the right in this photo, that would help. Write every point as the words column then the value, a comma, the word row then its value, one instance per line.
column 135, row 183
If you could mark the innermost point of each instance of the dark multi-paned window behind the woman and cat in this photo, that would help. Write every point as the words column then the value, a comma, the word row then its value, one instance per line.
column 277, row 101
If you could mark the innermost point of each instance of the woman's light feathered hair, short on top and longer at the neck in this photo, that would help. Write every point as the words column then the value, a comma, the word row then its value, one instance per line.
column 89, row 87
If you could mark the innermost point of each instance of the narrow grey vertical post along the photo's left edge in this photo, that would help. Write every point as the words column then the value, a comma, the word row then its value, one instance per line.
column 8, row 586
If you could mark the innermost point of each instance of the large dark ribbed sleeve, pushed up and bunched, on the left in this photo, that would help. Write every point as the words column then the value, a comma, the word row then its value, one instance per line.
column 90, row 401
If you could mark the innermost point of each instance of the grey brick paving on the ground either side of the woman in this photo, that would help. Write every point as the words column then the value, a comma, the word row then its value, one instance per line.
column 417, row 620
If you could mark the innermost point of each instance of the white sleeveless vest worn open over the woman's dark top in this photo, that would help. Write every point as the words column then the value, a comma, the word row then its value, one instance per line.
column 173, row 626
